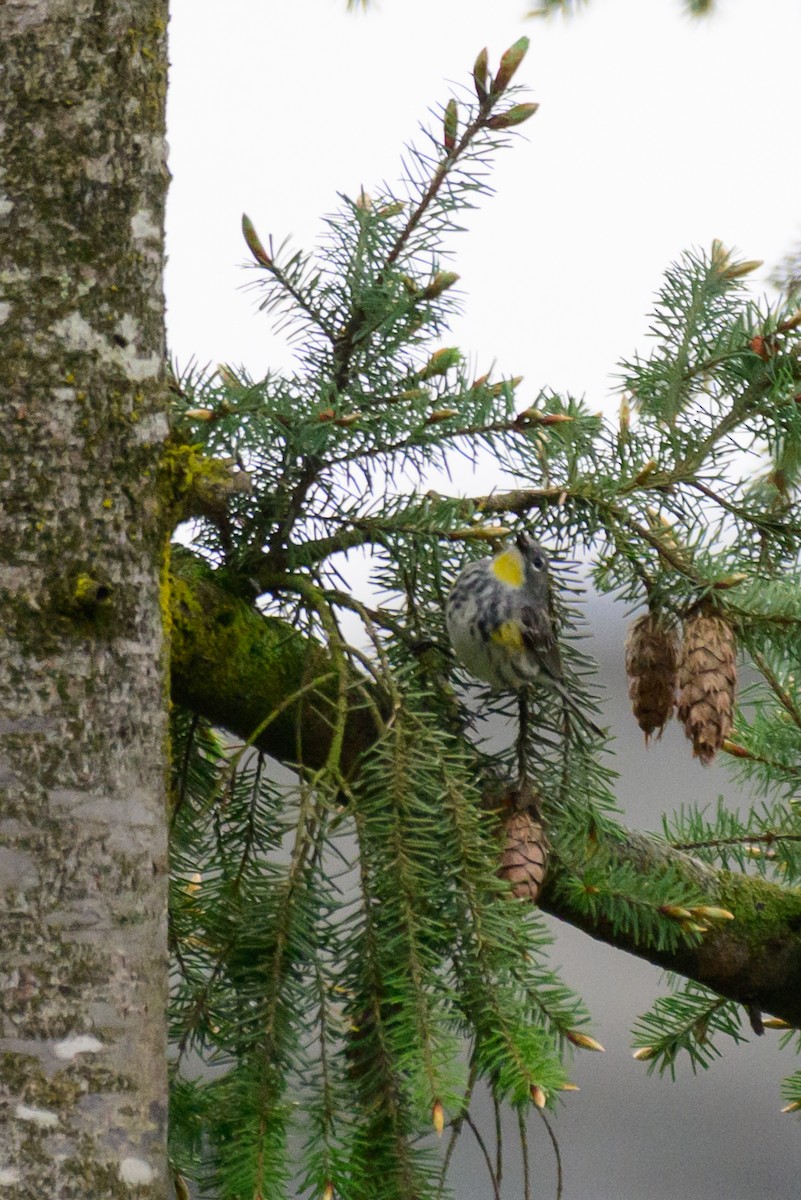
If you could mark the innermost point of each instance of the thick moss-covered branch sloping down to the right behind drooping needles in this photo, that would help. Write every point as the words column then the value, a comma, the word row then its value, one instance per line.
column 755, row 959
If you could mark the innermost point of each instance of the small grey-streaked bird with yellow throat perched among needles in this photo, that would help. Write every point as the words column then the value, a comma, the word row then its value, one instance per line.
column 499, row 622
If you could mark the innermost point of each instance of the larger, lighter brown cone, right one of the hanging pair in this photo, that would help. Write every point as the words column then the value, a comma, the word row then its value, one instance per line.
column 707, row 683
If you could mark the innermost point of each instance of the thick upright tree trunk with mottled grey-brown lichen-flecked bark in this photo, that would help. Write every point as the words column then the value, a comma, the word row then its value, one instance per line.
column 83, row 862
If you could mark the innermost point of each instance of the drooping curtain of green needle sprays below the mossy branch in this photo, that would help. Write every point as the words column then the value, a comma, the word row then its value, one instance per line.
column 344, row 968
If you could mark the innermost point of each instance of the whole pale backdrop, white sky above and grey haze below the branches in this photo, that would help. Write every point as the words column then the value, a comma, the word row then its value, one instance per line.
column 655, row 134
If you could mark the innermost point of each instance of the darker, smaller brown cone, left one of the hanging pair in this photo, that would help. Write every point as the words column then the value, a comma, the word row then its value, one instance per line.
column 652, row 658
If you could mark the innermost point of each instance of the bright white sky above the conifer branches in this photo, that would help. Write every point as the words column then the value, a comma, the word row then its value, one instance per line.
column 655, row 134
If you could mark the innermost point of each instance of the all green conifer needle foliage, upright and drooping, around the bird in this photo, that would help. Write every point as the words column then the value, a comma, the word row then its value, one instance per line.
column 347, row 961
